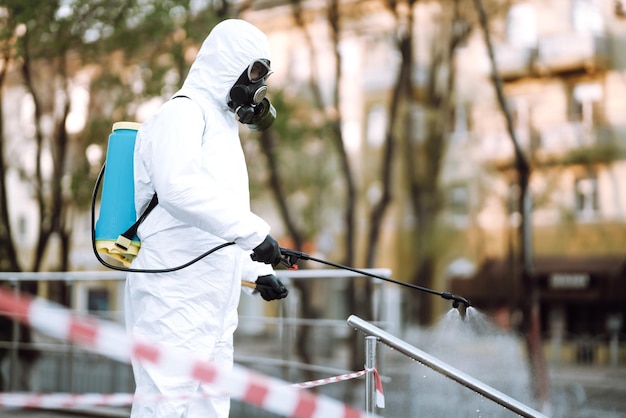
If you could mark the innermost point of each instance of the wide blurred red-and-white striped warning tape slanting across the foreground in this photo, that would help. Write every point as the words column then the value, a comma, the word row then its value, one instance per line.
column 111, row 340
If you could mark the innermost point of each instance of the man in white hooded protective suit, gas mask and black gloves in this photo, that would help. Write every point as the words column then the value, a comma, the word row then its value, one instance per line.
column 189, row 153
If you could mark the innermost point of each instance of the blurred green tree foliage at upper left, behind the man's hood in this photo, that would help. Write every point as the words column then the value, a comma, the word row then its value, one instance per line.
column 132, row 51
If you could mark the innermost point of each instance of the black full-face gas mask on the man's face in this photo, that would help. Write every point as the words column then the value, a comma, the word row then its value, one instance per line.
column 247, row 97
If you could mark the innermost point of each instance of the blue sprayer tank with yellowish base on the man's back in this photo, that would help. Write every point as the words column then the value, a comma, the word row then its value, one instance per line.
column 117, row 205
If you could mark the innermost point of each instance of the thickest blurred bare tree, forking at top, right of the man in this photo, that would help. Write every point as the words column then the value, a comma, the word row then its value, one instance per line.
column 422, row 157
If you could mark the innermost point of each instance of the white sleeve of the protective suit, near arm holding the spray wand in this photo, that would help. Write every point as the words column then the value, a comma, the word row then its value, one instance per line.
column 184, row 188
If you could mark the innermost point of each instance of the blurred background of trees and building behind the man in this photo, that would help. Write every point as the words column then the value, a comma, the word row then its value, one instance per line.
column 476, row 147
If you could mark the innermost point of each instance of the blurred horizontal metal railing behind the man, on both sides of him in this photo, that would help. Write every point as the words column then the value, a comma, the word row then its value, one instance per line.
column 60, row 368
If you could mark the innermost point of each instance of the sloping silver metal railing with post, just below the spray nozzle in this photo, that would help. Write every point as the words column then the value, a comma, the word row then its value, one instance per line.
column 434, row 364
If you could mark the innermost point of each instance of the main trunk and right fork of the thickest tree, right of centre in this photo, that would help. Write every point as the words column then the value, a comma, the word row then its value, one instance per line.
column 424, row 156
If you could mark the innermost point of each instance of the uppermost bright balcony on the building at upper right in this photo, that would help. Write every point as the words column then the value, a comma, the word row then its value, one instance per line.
column 572, row 51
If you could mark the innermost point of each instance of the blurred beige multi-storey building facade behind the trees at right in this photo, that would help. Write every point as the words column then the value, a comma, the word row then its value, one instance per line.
column 563, row 76
